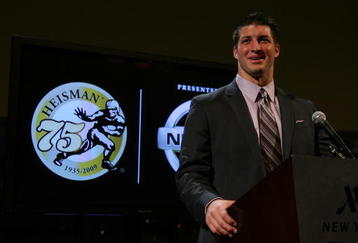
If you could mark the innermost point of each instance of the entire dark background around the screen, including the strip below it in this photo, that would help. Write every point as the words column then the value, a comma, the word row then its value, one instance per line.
column 317, row 61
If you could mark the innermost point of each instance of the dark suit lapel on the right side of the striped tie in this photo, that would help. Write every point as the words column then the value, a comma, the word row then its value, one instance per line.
column 287, row 121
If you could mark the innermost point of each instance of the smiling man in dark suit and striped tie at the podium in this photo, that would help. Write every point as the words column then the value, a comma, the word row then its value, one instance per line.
column 223, row 149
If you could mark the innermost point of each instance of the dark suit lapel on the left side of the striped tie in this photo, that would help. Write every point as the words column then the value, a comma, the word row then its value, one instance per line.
column 238, row 104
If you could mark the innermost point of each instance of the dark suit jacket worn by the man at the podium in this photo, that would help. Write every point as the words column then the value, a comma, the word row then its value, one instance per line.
column 220, row 154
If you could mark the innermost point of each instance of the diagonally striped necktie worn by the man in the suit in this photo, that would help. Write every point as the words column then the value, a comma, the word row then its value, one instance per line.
column 269, row 136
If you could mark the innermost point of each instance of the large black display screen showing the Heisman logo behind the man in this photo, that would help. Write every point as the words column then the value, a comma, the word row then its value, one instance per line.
column 97, row 130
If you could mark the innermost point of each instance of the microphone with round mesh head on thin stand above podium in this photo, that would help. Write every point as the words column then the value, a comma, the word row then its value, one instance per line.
column 319, row 118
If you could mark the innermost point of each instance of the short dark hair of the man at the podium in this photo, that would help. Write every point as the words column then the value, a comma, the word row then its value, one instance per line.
column 257, row 18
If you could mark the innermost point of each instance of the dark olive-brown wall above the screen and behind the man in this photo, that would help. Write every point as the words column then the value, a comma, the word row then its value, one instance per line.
column 318, row 51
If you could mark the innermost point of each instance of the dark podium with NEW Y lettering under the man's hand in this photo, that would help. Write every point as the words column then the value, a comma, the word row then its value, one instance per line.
column 306, row 200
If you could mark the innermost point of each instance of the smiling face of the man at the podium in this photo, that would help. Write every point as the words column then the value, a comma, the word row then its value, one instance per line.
column 256, row 51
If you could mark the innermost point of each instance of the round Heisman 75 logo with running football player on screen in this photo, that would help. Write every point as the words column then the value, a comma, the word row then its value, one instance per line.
column 79, row 131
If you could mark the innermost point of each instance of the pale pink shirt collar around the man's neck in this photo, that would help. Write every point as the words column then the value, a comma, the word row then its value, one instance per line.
column 251, row 89
